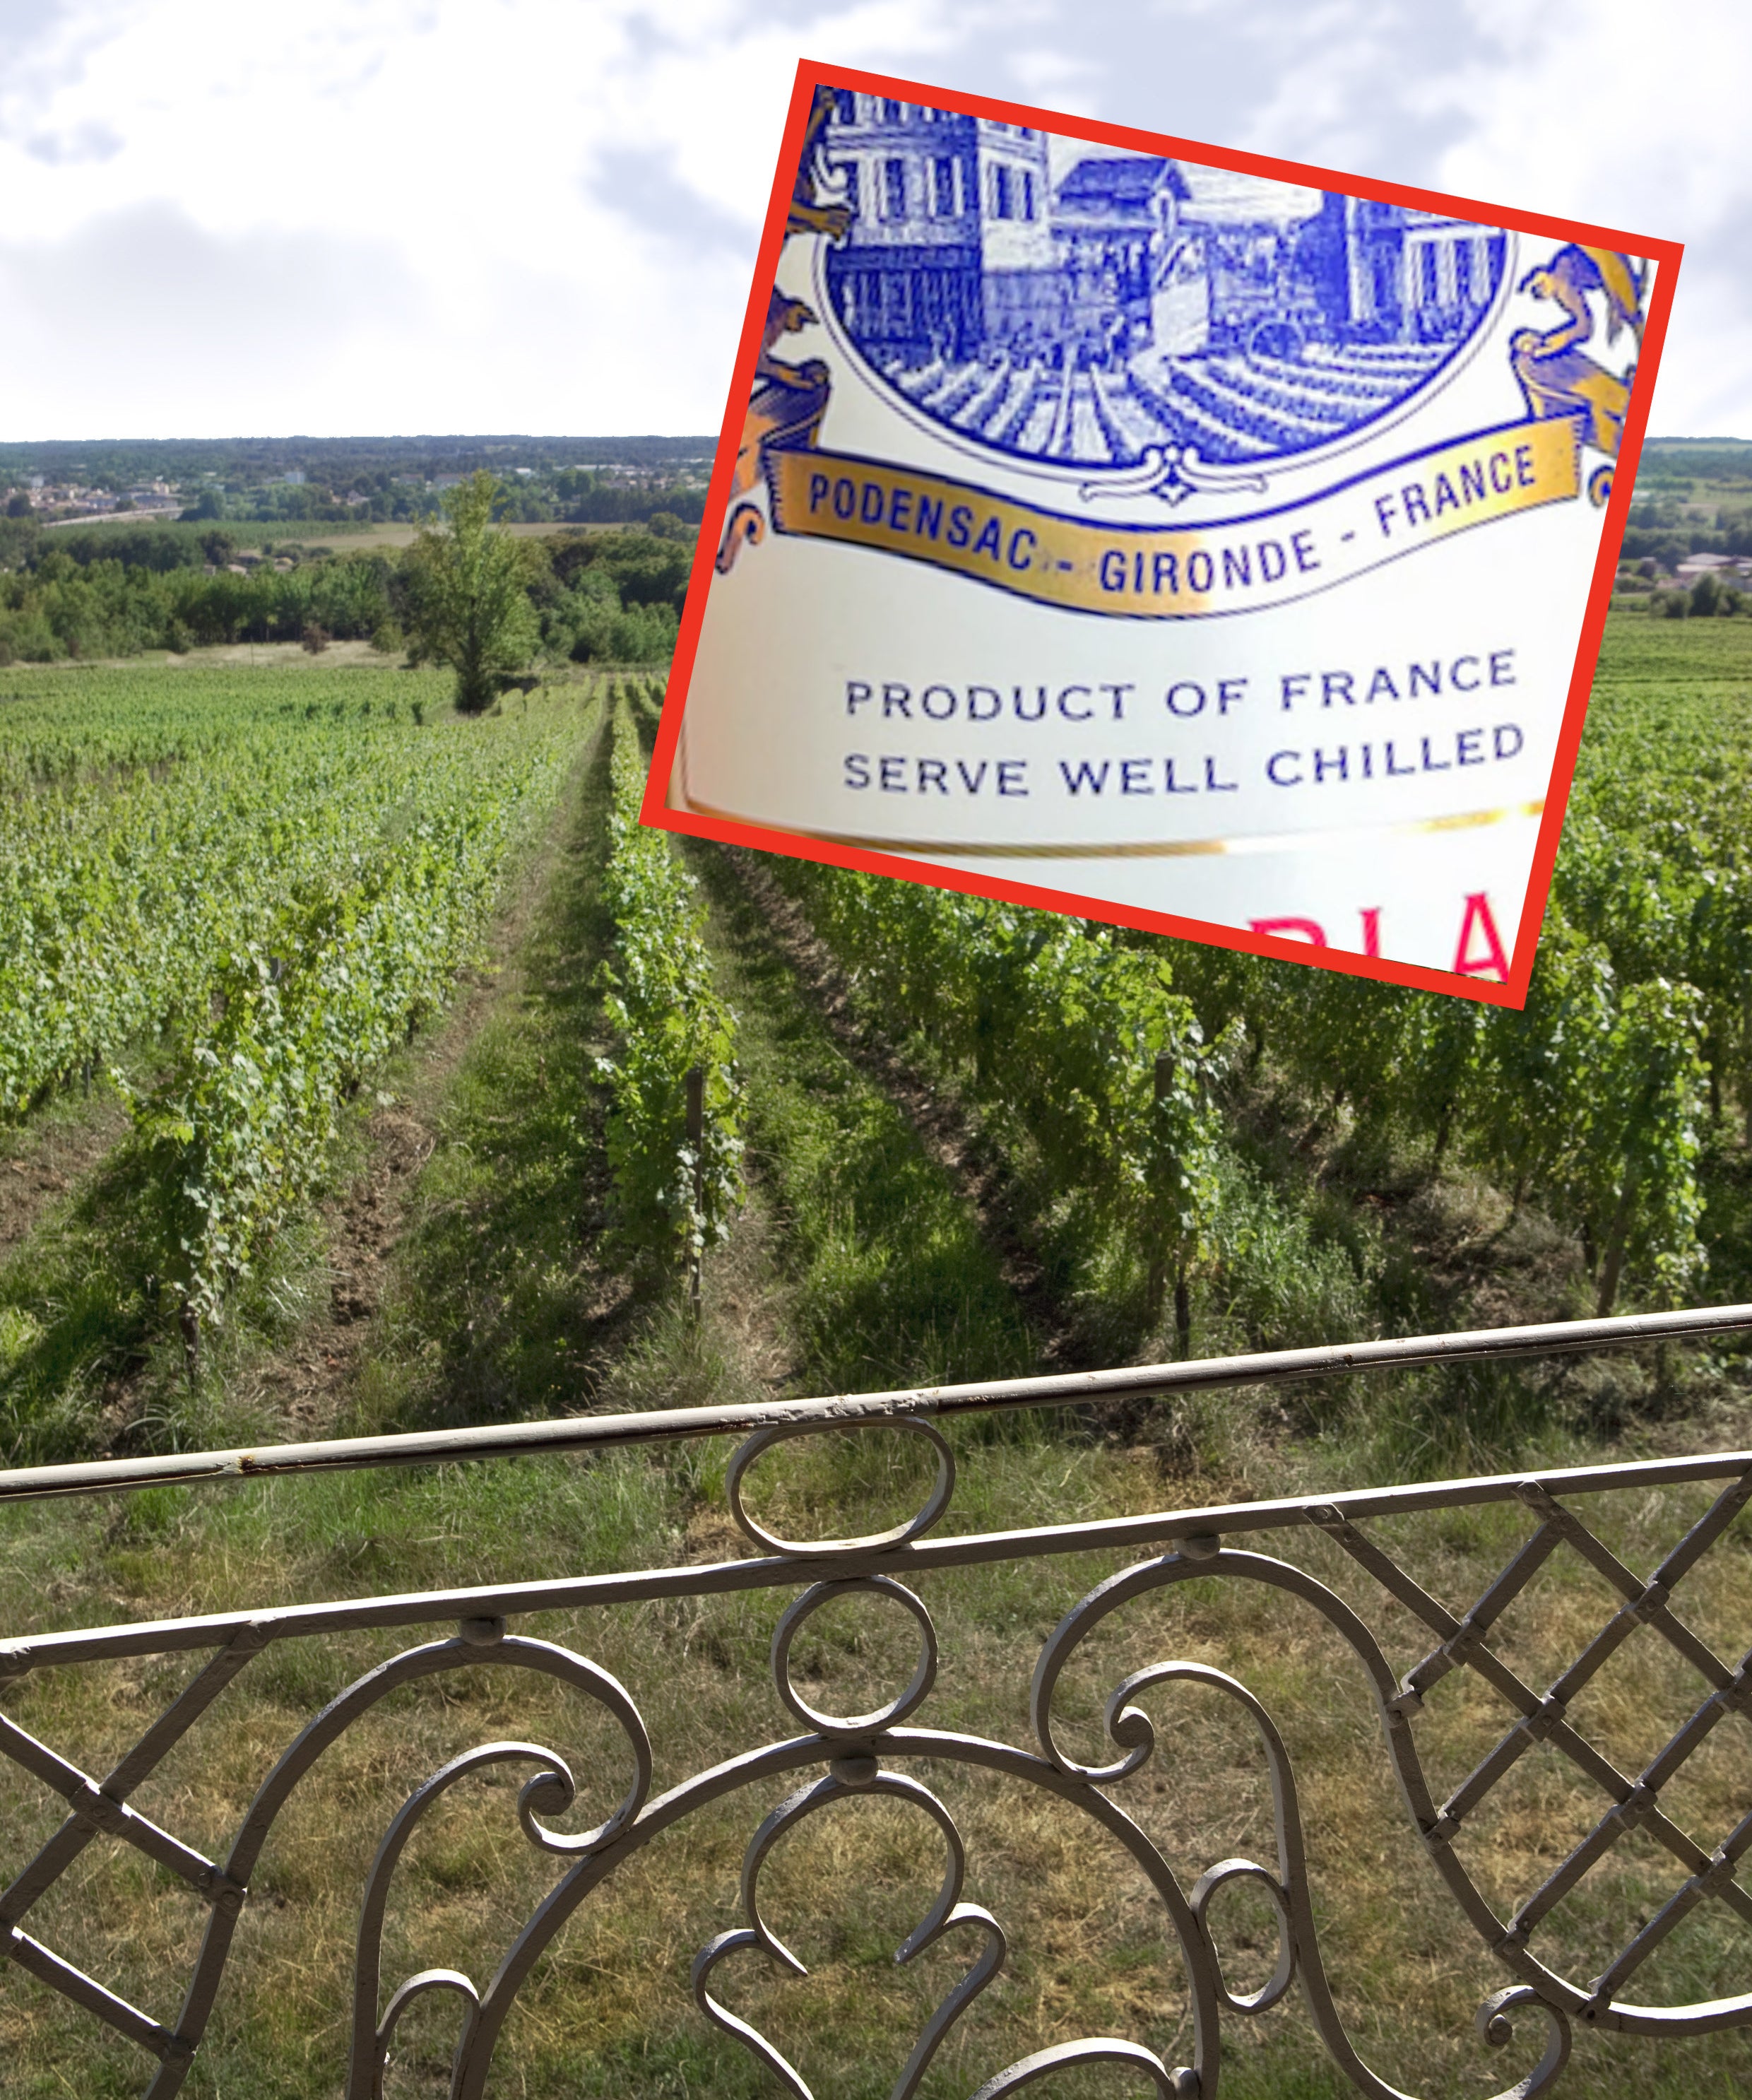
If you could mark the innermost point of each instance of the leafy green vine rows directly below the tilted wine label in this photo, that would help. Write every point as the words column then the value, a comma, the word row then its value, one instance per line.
column 1108, row 1070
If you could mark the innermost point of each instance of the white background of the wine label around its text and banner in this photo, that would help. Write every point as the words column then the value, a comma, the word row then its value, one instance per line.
column 795, row 623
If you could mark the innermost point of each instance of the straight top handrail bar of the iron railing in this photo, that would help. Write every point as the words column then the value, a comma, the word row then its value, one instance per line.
column 669, row 1425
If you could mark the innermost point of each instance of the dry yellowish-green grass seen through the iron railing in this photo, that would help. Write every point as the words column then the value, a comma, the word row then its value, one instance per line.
column 610, row 2011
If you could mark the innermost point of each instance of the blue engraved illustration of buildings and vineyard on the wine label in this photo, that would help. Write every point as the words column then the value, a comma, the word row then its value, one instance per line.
column 1125, row 314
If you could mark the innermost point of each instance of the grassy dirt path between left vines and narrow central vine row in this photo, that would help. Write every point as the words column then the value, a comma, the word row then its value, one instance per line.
column 432, row 1240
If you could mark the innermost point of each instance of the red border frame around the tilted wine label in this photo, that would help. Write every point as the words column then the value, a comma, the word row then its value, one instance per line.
column 799, row 845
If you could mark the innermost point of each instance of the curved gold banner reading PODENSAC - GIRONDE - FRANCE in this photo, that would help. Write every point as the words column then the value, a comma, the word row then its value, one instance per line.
column 1180, row 572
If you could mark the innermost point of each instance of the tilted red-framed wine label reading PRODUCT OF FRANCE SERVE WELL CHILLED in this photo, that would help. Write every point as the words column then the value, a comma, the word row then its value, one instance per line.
column 1163, row 534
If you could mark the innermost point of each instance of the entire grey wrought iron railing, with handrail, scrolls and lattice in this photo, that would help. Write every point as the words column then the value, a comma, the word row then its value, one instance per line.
column 835, row 1759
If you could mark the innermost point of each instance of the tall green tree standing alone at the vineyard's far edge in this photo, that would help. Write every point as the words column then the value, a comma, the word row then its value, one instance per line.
column 467, row 595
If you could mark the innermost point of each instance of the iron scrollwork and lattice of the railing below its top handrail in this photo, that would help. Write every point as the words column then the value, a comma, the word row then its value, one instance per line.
column 864, row 1757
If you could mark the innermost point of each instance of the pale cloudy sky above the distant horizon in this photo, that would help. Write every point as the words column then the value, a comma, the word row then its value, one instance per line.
column 539, row 215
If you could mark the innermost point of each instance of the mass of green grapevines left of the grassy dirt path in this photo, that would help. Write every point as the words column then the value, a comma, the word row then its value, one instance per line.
column 280, row 896
